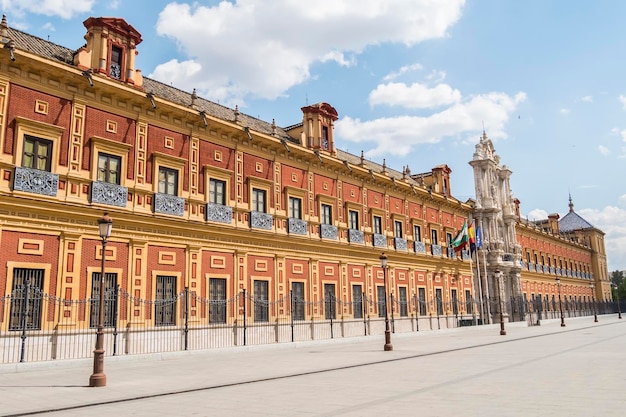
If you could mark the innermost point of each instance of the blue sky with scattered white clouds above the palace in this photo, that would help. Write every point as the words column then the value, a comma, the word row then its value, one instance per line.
column 415, row 82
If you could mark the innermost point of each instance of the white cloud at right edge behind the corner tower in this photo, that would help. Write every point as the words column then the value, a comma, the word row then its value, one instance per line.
column 612, row 221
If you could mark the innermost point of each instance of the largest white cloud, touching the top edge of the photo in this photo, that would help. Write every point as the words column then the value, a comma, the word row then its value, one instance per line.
column 262, row 48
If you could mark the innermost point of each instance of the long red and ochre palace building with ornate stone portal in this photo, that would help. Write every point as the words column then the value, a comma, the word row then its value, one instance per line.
column 247, row 221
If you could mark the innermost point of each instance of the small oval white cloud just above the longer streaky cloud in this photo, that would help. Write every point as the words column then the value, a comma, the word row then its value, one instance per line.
column 415, row 96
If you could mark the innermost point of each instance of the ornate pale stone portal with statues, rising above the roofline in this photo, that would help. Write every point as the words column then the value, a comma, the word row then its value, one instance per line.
column 494, row 213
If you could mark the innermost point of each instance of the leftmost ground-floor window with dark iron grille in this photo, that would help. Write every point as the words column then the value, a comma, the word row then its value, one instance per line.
column 26, row 298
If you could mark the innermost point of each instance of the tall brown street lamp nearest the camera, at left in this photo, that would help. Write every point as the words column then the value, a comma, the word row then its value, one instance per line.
column 98, row 378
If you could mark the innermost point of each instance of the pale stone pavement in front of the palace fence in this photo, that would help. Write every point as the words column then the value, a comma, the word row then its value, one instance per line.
column 547, row 370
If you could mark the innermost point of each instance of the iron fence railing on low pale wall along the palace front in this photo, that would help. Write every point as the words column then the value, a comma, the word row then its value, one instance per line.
column 37, row 327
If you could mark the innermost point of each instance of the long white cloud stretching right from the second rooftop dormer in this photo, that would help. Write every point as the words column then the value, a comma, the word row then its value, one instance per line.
column 406, row 132
